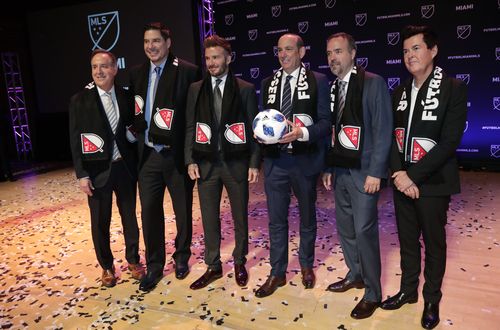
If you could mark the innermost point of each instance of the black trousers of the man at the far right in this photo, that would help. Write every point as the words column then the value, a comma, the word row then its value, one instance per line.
column 424, row 216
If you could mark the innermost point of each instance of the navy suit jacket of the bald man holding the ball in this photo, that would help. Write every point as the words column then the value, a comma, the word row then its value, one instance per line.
column 311, row 163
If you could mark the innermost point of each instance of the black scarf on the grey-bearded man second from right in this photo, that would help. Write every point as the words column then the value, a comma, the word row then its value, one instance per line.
column 347, row 139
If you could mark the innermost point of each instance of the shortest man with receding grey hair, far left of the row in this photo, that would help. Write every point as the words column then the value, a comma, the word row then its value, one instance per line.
column 105, row 160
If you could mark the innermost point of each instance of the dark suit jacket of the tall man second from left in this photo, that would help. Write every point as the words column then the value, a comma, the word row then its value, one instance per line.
column 187, row 74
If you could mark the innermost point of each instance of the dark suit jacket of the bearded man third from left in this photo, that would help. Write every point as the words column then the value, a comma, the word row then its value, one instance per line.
column 238, row 168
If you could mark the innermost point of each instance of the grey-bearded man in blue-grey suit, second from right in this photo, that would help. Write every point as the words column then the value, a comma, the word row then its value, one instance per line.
column 361, row 141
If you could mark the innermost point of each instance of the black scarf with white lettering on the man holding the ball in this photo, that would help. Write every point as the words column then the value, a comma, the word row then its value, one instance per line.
column 304, row 107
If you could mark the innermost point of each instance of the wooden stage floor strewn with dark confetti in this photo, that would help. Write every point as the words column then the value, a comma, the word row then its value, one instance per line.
column 49, row 275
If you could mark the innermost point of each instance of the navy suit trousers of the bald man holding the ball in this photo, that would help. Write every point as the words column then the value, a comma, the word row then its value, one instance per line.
column 284, row 176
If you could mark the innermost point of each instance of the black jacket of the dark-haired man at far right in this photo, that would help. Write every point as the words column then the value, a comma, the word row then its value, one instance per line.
column 436, row 174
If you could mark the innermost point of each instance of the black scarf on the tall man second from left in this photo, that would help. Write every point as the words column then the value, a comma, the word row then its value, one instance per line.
column 162, row 121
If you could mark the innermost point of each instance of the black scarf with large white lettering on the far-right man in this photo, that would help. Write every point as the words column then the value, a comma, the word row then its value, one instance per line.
column 427, row 119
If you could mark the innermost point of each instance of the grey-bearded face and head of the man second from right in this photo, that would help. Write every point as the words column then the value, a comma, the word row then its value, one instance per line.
column 340, row 57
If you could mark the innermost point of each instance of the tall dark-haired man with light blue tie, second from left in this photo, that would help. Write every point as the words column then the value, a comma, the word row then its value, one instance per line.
column 160, row 86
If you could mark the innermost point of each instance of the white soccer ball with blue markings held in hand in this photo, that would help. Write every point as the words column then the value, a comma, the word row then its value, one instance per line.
column 269, row 126
